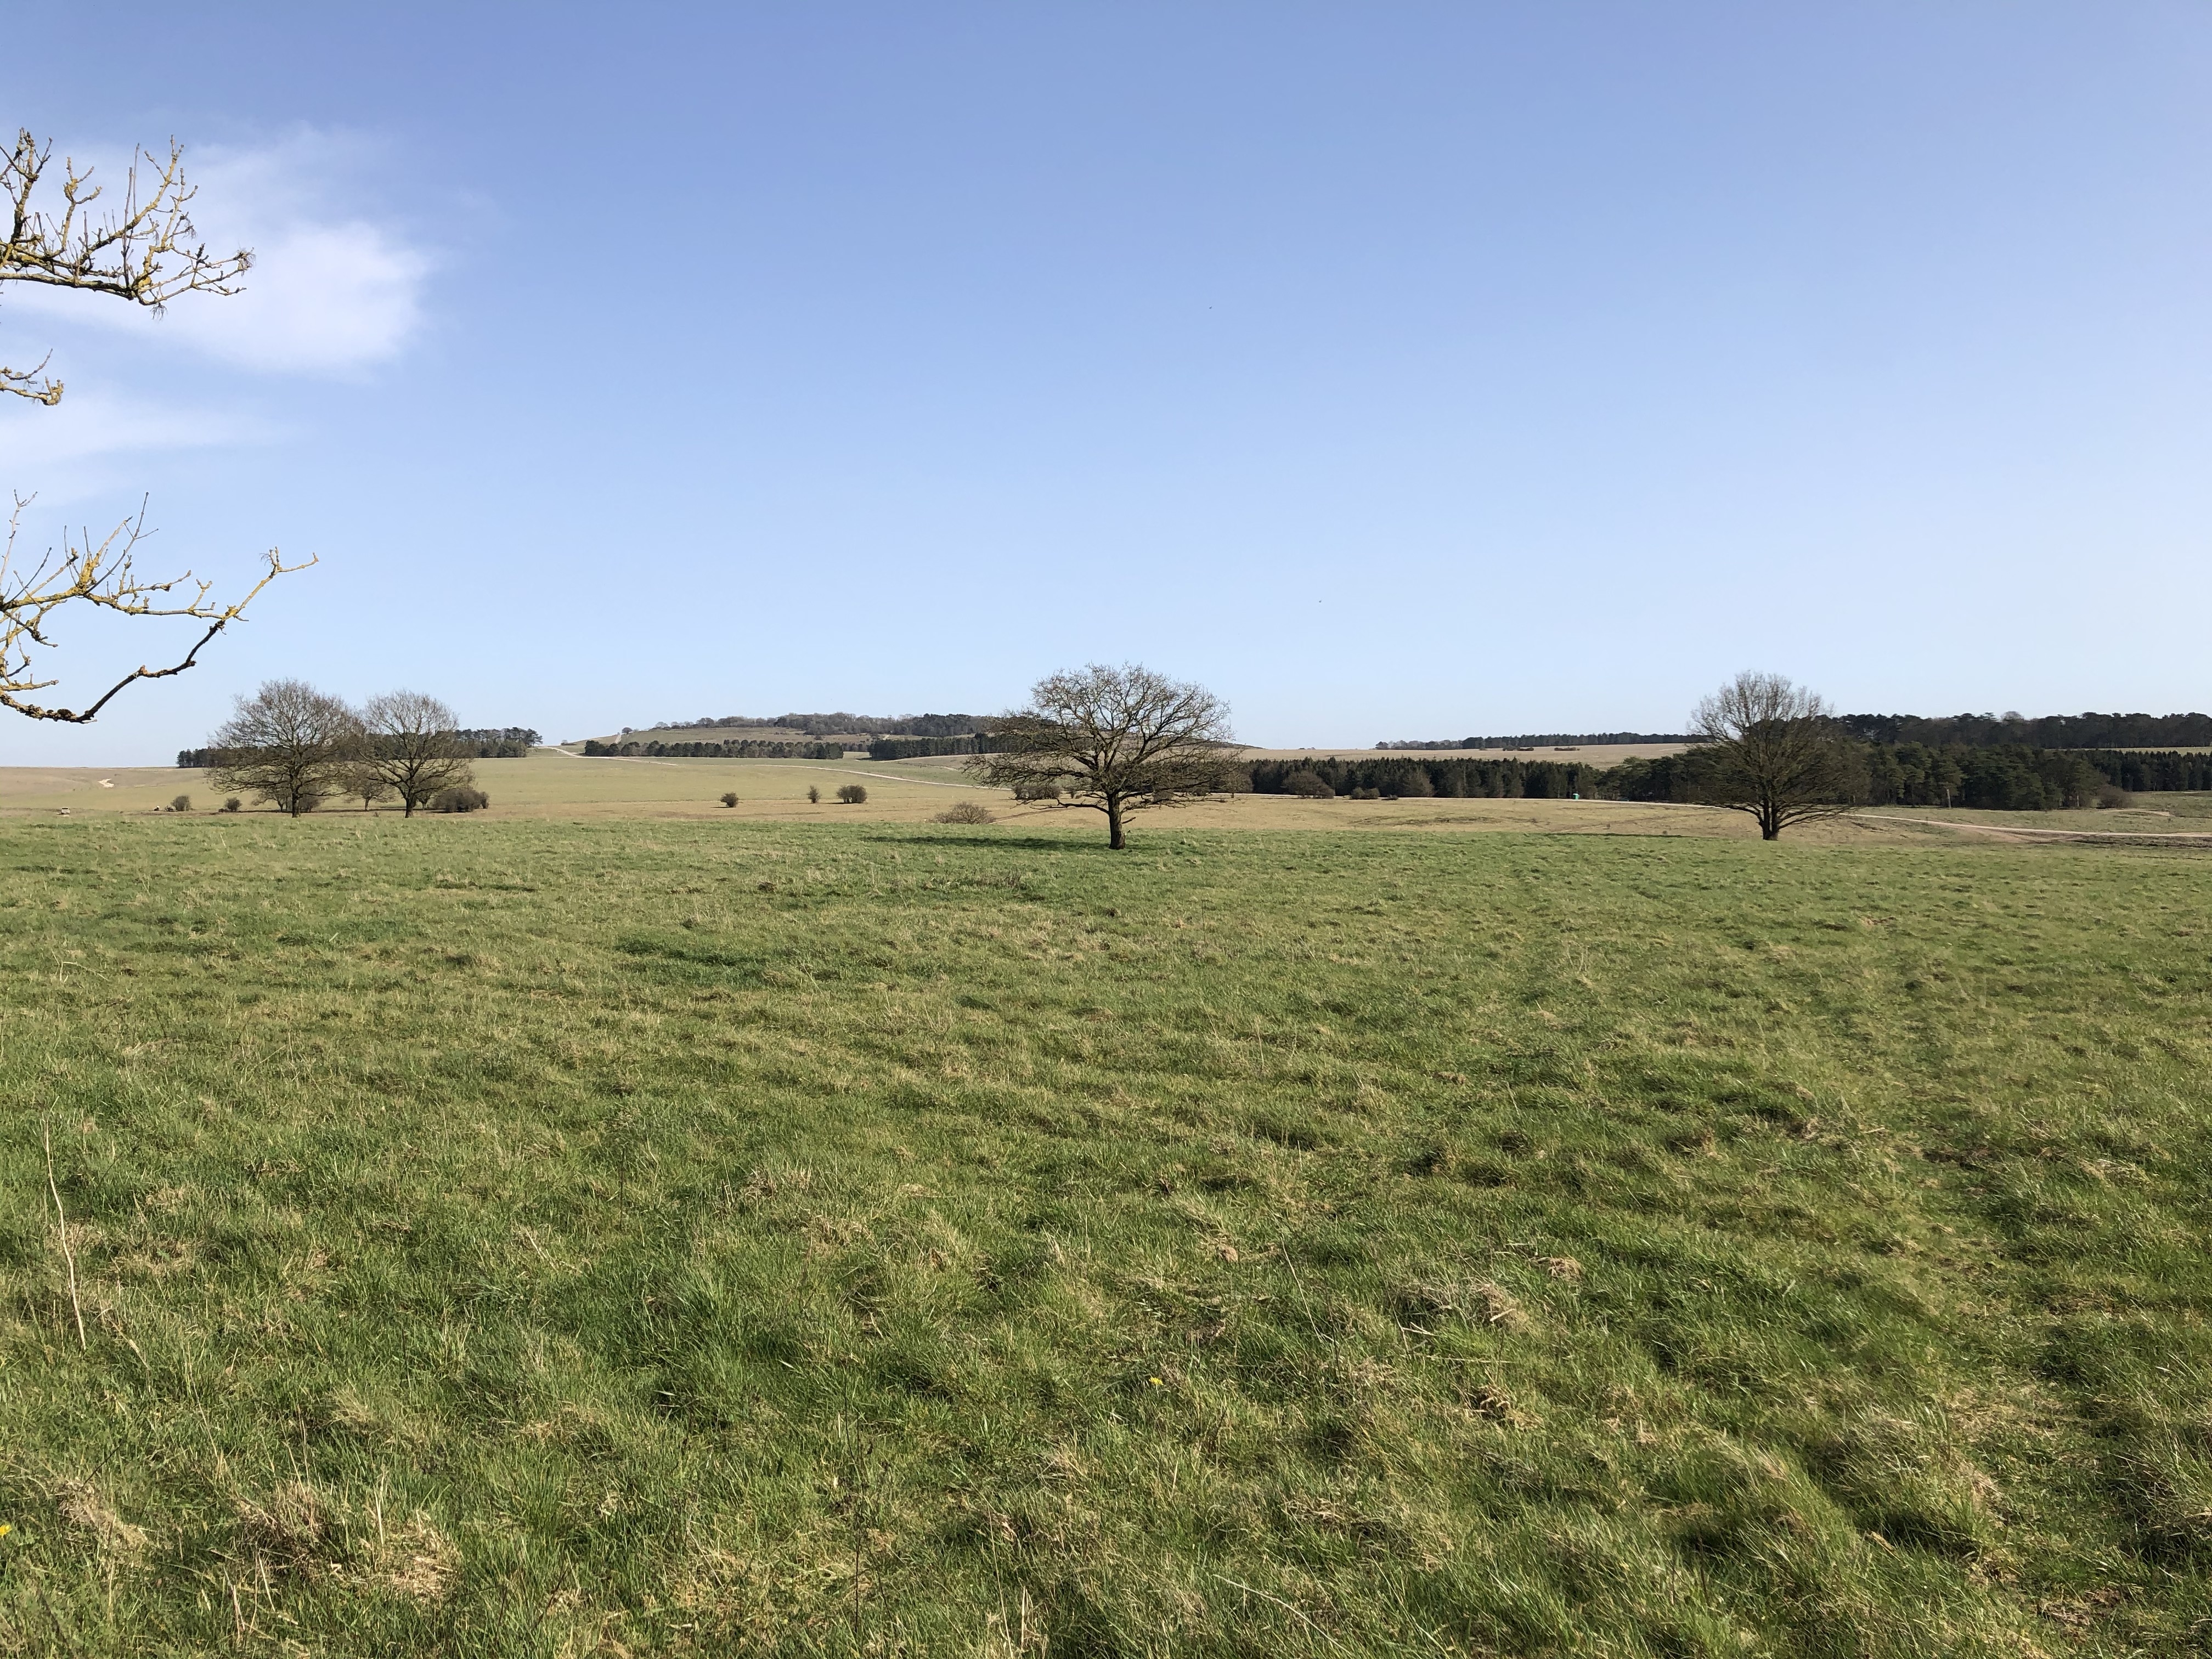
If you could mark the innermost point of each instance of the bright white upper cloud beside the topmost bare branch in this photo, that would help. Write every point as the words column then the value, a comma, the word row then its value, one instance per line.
column 333, row 291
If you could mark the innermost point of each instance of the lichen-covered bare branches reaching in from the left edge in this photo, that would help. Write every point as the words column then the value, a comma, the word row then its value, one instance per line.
column 145, row 253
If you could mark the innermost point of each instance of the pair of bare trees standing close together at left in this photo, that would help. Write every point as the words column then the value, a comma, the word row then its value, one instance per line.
column 295, row 749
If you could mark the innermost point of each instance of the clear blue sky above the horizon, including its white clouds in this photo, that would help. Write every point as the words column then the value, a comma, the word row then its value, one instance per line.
column 1397, row 373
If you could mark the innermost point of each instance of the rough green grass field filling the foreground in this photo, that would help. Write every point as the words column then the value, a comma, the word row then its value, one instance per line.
column 554, row 1240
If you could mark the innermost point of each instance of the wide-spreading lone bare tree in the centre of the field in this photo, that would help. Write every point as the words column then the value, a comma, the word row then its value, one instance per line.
column 1112, row 740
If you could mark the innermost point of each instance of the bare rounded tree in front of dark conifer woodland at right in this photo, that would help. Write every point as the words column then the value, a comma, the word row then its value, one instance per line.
column 1773, row 751
